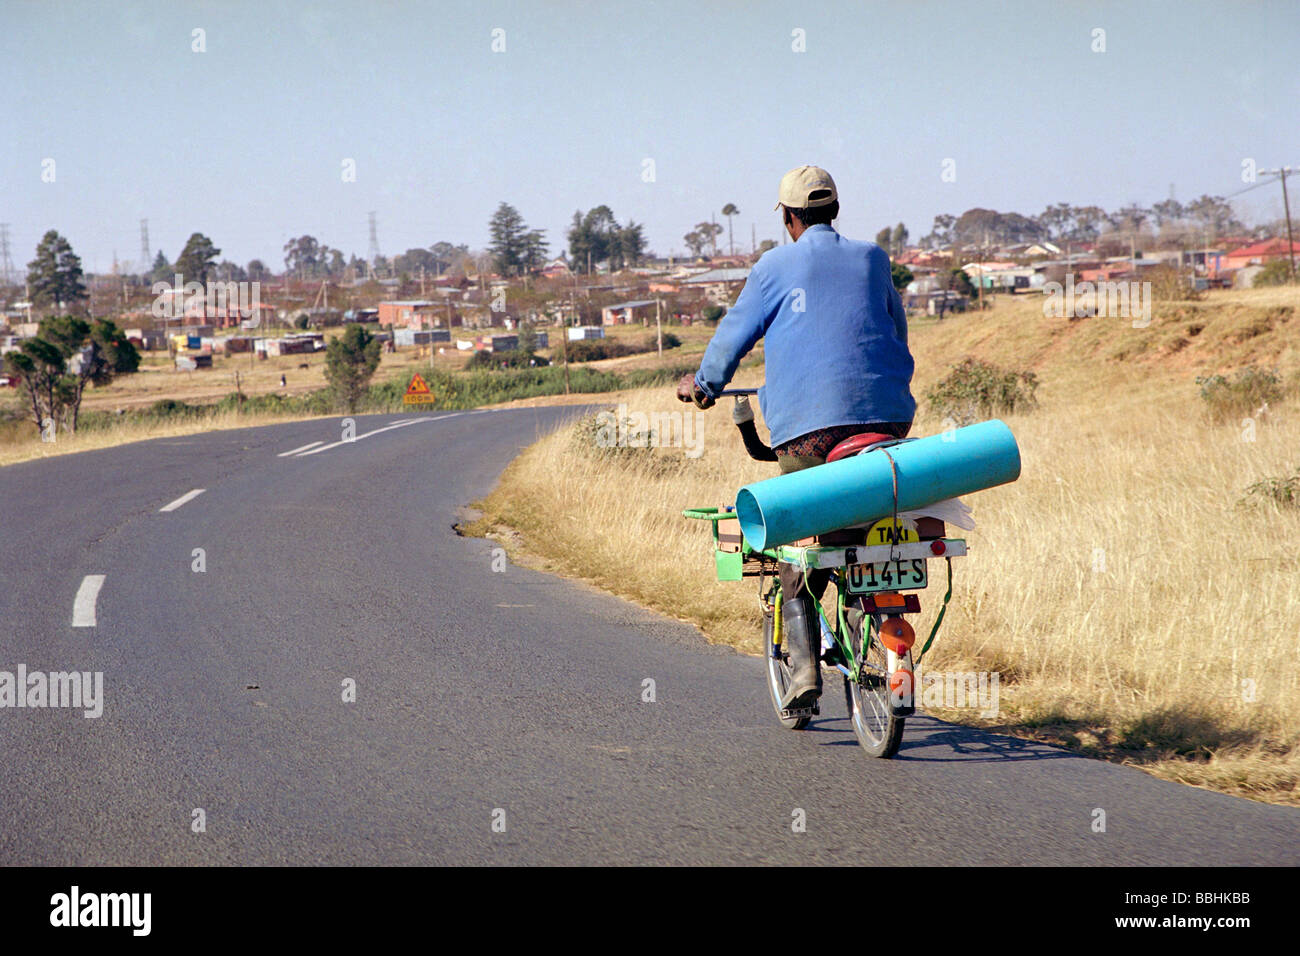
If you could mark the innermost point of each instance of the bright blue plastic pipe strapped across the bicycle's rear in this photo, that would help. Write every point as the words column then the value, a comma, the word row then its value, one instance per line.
column 860, row 490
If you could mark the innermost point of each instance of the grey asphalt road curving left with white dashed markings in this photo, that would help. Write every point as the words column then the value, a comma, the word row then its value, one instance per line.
column 484, row 700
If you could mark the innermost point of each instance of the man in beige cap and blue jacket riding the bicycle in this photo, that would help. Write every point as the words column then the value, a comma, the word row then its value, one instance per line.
column 837, row 366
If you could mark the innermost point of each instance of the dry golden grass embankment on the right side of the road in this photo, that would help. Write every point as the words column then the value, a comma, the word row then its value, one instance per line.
column 1134, row 607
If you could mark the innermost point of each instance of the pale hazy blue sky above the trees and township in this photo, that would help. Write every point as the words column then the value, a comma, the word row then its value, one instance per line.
column 246, row 142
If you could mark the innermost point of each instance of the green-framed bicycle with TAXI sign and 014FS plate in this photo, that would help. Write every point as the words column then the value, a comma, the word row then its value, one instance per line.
column 870, row 641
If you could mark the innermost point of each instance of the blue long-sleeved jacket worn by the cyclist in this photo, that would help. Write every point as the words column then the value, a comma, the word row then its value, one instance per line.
column 837, row 349
